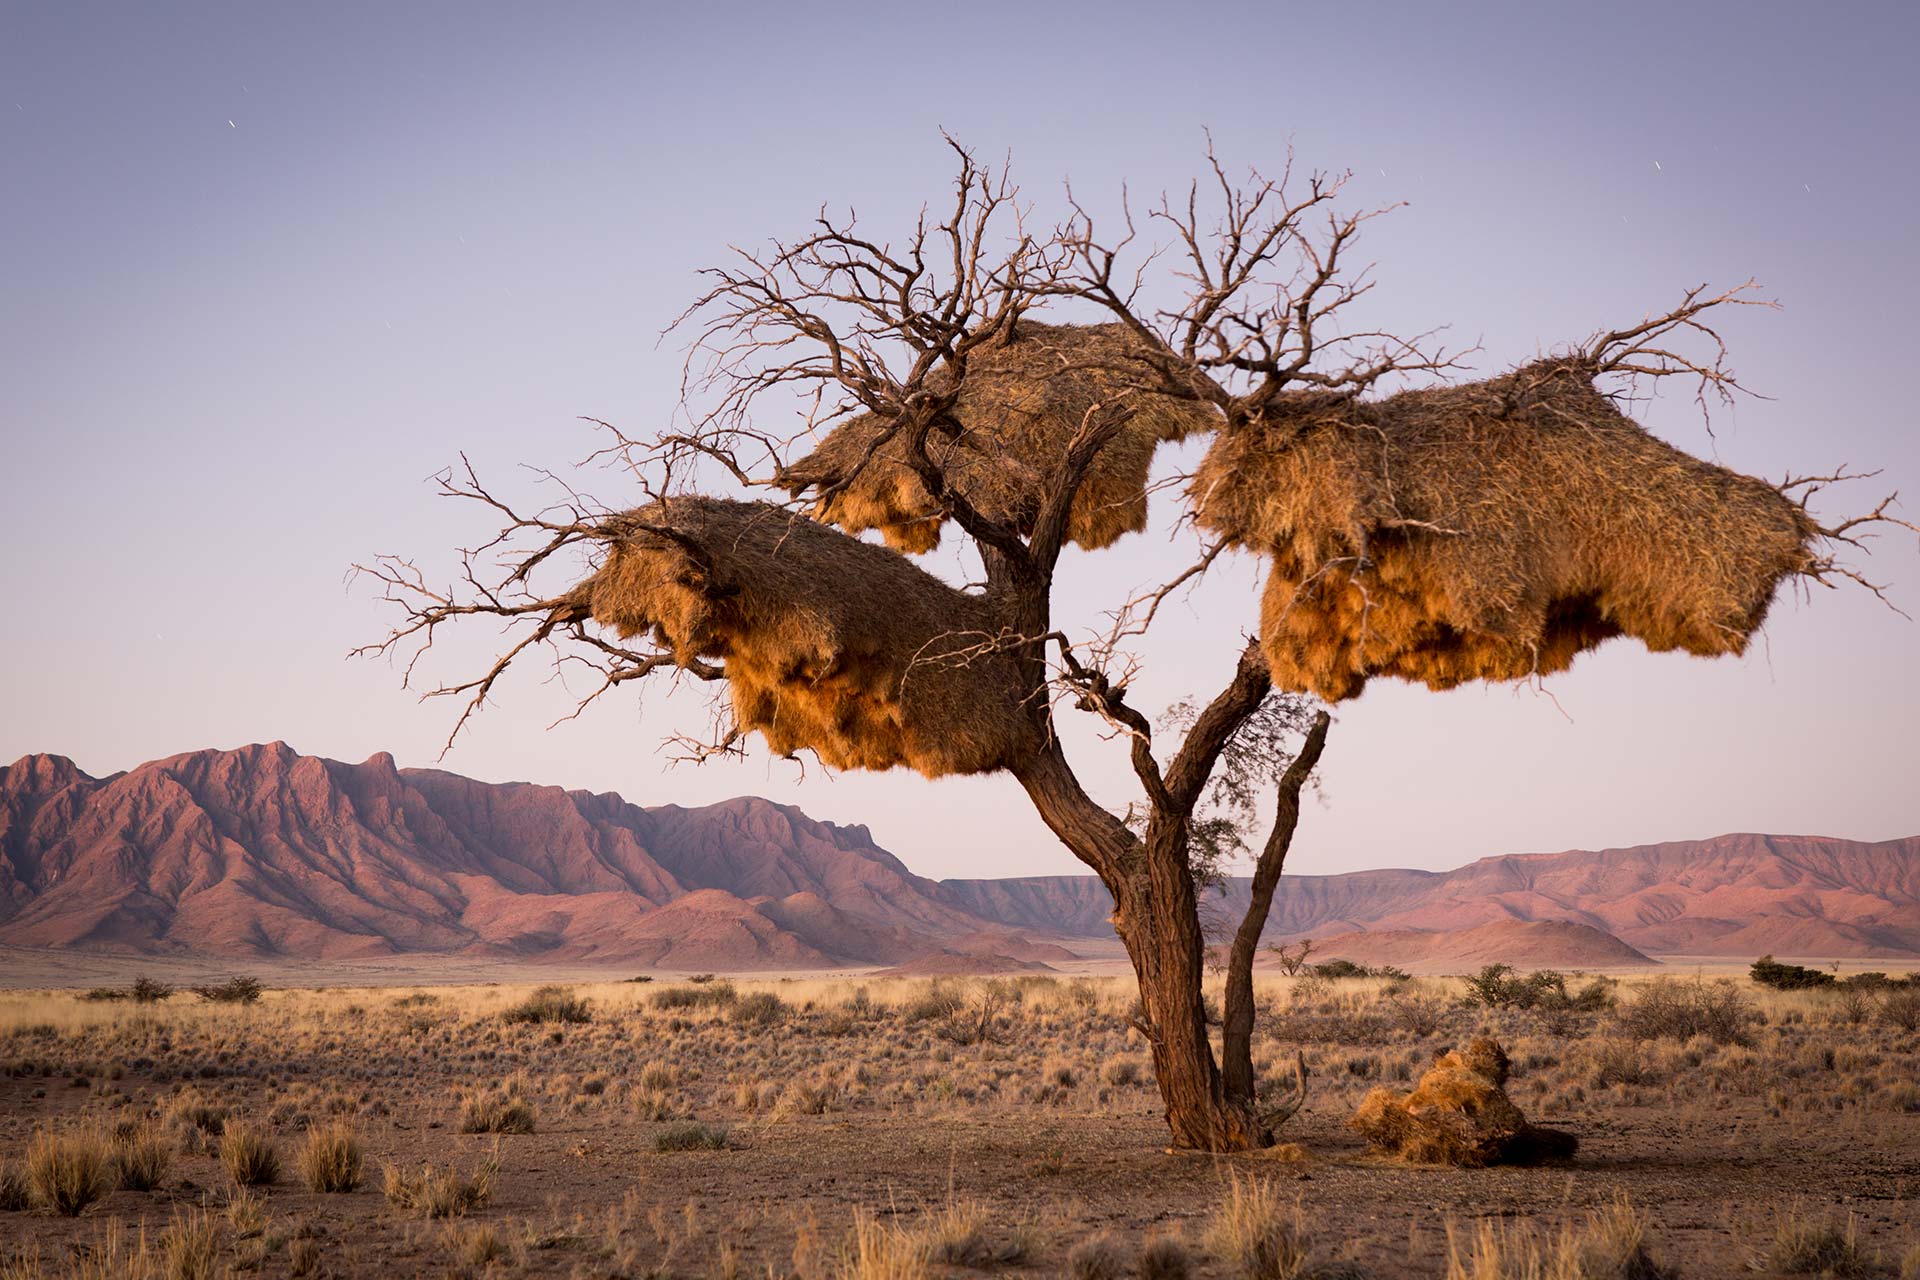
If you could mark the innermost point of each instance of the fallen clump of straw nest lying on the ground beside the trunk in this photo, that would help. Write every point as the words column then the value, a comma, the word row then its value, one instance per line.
column 1458, row 1114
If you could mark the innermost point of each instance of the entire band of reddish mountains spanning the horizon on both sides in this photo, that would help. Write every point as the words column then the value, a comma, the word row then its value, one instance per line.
column 276, row 855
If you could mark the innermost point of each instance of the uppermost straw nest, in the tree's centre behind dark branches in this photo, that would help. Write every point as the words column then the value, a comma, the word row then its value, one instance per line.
column 1017, row 412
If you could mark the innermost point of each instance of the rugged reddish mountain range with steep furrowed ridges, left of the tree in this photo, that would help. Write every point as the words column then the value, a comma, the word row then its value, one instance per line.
column 268, row 853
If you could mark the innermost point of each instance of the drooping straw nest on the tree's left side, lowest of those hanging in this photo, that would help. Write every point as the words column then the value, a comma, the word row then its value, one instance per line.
column 828, row 644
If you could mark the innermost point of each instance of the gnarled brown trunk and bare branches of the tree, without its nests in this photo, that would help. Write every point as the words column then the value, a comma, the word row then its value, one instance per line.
column 848, row 325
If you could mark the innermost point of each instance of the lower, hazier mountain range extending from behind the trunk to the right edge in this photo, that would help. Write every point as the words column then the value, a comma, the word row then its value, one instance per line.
column 1735, row 895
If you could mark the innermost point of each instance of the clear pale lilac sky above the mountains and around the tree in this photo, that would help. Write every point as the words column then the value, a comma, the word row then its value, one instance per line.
column 270, row 268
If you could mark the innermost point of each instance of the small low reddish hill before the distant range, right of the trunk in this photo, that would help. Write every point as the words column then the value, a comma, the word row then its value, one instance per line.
column 1531, row 943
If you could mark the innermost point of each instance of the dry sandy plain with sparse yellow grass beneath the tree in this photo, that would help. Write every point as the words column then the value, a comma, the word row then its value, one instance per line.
column 852, row 1108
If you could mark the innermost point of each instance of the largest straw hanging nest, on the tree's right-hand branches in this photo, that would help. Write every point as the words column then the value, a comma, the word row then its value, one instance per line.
column 1491, row 533
